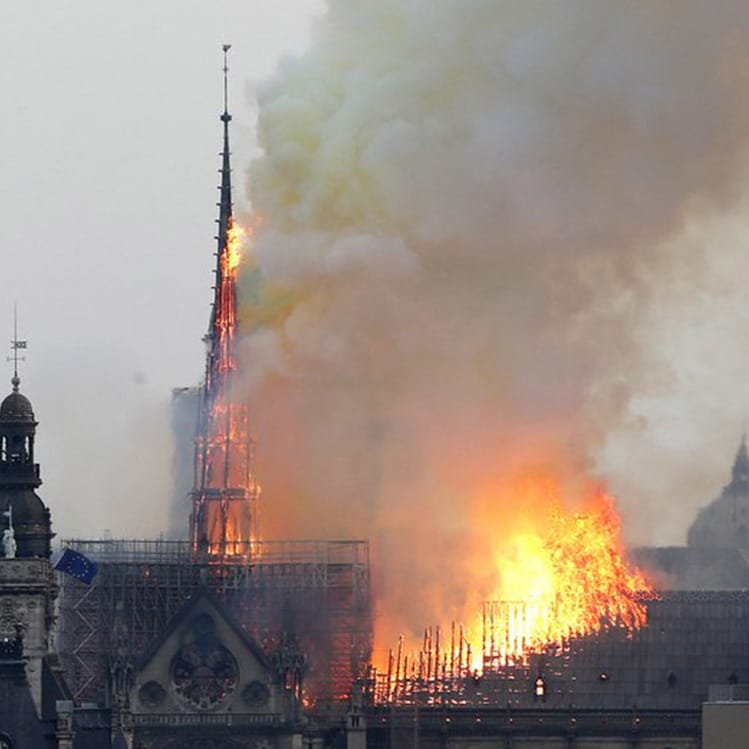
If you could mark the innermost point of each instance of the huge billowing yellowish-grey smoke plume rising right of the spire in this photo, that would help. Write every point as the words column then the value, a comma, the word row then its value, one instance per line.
column 466, row 208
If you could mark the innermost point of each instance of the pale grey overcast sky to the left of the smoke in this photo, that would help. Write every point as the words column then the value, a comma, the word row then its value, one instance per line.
column 109, row 143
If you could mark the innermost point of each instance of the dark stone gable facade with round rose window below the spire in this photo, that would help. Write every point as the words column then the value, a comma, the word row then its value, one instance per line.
column 206, row 683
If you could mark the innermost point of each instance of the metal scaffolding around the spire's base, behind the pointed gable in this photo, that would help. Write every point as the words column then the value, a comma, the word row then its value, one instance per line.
column 318, row 591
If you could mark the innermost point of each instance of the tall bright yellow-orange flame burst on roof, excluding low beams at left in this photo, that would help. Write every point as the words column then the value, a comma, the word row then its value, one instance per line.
column 567, row 579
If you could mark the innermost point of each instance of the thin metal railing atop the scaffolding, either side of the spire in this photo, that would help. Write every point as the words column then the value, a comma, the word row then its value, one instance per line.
column 163, row 551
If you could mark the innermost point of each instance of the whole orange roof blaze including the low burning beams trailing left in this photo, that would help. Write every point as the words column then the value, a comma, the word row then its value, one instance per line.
column 558, row 575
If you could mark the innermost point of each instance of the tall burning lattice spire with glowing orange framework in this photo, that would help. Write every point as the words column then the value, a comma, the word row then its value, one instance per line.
column 223, row 523
